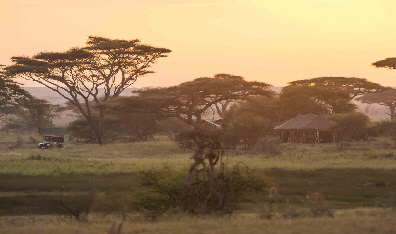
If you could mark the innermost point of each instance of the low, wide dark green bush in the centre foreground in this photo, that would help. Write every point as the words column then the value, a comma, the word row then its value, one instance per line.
column 166, row 190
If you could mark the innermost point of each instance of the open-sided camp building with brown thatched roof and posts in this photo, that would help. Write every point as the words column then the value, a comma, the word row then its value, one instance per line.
column 307, row 129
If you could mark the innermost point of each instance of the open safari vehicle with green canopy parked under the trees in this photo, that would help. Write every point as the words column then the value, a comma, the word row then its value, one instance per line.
column 53, row 138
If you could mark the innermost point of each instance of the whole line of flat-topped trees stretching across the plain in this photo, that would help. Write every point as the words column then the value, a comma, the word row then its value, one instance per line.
column 89, row 77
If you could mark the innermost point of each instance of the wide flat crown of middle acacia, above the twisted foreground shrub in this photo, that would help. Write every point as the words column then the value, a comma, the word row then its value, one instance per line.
column 189, row 101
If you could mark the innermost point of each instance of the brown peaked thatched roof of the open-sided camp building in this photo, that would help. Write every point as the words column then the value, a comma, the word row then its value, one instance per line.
column 307, row 122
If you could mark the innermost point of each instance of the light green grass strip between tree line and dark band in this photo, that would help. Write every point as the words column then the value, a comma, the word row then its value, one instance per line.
column 126, row 158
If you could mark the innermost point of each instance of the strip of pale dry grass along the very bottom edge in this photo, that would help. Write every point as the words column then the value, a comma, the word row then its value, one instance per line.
column 362, row 224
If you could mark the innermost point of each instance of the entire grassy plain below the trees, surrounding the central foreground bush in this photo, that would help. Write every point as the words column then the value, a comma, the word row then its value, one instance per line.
column 318, row 189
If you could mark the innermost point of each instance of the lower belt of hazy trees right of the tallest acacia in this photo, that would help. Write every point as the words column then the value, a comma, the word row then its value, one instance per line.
column 250, row 118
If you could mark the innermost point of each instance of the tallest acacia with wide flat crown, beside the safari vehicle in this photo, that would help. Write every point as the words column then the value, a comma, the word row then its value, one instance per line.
column 97, row 72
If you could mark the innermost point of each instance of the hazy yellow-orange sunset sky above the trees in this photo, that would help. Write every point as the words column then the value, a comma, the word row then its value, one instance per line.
column 275, row 41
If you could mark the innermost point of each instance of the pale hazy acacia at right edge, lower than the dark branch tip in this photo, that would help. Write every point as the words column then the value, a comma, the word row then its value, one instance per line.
column 385, row 98
